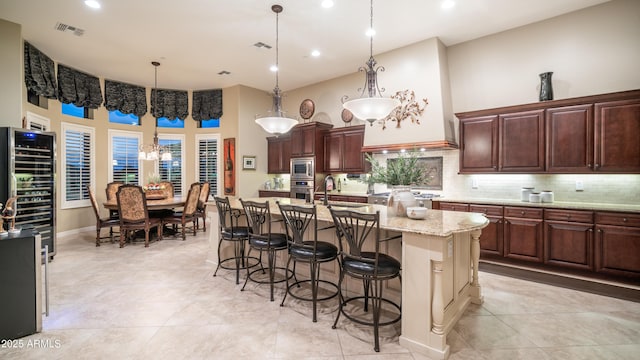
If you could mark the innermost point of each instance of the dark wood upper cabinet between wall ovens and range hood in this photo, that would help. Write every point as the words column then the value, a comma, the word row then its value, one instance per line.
column 343, row 150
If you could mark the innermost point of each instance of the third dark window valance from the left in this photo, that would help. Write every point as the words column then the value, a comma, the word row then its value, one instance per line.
column 126, row 98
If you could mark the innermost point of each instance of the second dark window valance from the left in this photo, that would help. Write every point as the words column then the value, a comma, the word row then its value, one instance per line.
column 78, row 88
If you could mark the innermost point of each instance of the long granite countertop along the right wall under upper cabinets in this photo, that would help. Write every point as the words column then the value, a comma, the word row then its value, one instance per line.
column 553, row 205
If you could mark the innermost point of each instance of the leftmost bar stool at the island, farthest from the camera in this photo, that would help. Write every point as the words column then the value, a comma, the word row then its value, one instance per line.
column 230, row 230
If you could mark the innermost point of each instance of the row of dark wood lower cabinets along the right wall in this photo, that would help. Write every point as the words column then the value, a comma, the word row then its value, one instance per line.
column 600, row 244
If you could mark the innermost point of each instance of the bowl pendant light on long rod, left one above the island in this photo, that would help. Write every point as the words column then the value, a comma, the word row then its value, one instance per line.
column 275, row 120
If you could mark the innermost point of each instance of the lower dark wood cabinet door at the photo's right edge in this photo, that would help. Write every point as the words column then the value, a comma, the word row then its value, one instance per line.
column 618, row 251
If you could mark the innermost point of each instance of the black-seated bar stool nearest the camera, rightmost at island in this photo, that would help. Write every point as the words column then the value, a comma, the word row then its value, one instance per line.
column 361, row 259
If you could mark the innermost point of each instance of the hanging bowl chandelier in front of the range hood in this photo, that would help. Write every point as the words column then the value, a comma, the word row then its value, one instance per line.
column 373, row 106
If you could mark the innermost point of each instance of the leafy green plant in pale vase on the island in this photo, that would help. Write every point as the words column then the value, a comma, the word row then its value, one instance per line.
column 399, row 174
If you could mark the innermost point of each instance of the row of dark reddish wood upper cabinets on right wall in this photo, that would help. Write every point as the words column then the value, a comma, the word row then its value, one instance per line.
column 581, row 135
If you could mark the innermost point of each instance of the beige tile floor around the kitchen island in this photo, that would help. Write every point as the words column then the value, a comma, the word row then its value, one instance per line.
column 162, row 302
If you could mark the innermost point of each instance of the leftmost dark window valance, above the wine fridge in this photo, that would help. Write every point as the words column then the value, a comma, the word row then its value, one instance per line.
column 39, row 72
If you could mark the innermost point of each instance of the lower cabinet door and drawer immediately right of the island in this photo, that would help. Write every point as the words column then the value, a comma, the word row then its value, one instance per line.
column 492, row 237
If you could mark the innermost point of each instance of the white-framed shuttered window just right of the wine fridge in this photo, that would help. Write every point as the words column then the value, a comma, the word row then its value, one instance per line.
column 78, row 164
